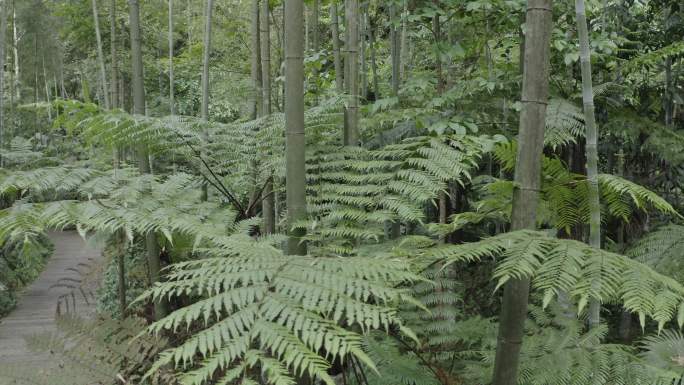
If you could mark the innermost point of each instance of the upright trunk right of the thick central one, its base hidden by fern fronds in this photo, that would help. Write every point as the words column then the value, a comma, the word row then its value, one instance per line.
column 351, row 133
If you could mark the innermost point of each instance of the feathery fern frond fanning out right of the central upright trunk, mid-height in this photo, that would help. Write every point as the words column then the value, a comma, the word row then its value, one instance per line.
column 354, row 191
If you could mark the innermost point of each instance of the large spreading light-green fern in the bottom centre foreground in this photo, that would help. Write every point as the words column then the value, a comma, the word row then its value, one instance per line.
column 256, row 308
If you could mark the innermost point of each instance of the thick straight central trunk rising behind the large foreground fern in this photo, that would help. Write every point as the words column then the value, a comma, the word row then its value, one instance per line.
column 294, row 125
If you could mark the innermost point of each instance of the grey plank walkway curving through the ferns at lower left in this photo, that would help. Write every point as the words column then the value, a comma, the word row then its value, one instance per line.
column 36, row 310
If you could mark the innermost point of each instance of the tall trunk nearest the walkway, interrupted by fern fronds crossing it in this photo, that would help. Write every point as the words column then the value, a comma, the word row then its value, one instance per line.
column 138, row 85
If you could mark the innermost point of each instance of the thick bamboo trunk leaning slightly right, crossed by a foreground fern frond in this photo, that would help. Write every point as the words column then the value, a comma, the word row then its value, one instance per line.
column 527, row 176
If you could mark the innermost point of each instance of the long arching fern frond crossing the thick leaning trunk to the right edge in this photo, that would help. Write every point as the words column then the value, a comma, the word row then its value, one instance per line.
column 566, row 266
